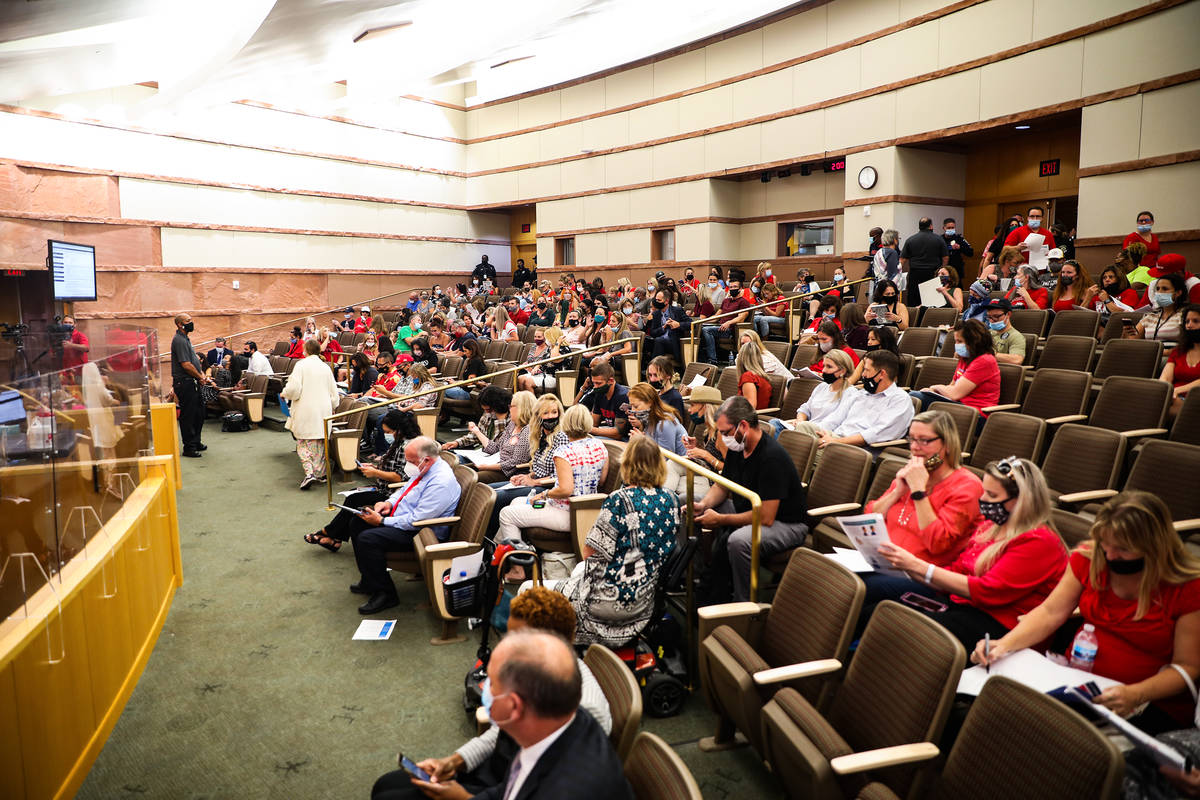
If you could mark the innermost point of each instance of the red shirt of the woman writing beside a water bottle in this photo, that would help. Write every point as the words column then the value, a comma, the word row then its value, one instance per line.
column 1131, row 651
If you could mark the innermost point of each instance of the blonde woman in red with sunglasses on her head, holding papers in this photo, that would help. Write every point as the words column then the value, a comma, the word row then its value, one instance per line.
column 1012, row 561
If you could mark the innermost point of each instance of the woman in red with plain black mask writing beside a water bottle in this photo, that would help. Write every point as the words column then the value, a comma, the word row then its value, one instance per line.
column 1141, row 591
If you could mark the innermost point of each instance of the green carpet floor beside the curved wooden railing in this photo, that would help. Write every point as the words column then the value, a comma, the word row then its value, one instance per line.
column 255, row 689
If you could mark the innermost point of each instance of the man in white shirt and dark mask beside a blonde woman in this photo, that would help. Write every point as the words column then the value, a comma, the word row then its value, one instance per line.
column 881, row 412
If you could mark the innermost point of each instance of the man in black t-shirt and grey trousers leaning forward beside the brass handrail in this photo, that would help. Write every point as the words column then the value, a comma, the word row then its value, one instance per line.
column 758, row 462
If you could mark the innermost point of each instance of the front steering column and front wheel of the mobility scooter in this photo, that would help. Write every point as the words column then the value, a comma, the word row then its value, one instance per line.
column 507, row 566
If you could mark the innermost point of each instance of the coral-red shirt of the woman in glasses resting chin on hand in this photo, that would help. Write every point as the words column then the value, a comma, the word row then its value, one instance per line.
column 956, row 502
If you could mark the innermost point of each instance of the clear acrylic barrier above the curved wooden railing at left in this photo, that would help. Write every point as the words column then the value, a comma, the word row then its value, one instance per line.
column 70, row 440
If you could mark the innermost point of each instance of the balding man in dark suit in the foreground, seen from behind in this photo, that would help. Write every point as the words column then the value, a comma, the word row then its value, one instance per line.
column 536, row 689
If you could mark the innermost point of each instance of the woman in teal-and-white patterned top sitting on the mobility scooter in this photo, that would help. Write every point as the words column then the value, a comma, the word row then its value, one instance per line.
column 613, row 588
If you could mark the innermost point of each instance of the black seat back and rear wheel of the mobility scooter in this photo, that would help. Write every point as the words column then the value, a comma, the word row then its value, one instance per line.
column 656, row 655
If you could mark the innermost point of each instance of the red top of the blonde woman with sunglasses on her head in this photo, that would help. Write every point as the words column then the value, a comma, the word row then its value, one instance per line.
column 1021, row 578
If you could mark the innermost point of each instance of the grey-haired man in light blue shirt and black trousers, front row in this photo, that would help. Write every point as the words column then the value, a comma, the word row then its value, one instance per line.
column 433, row 492
